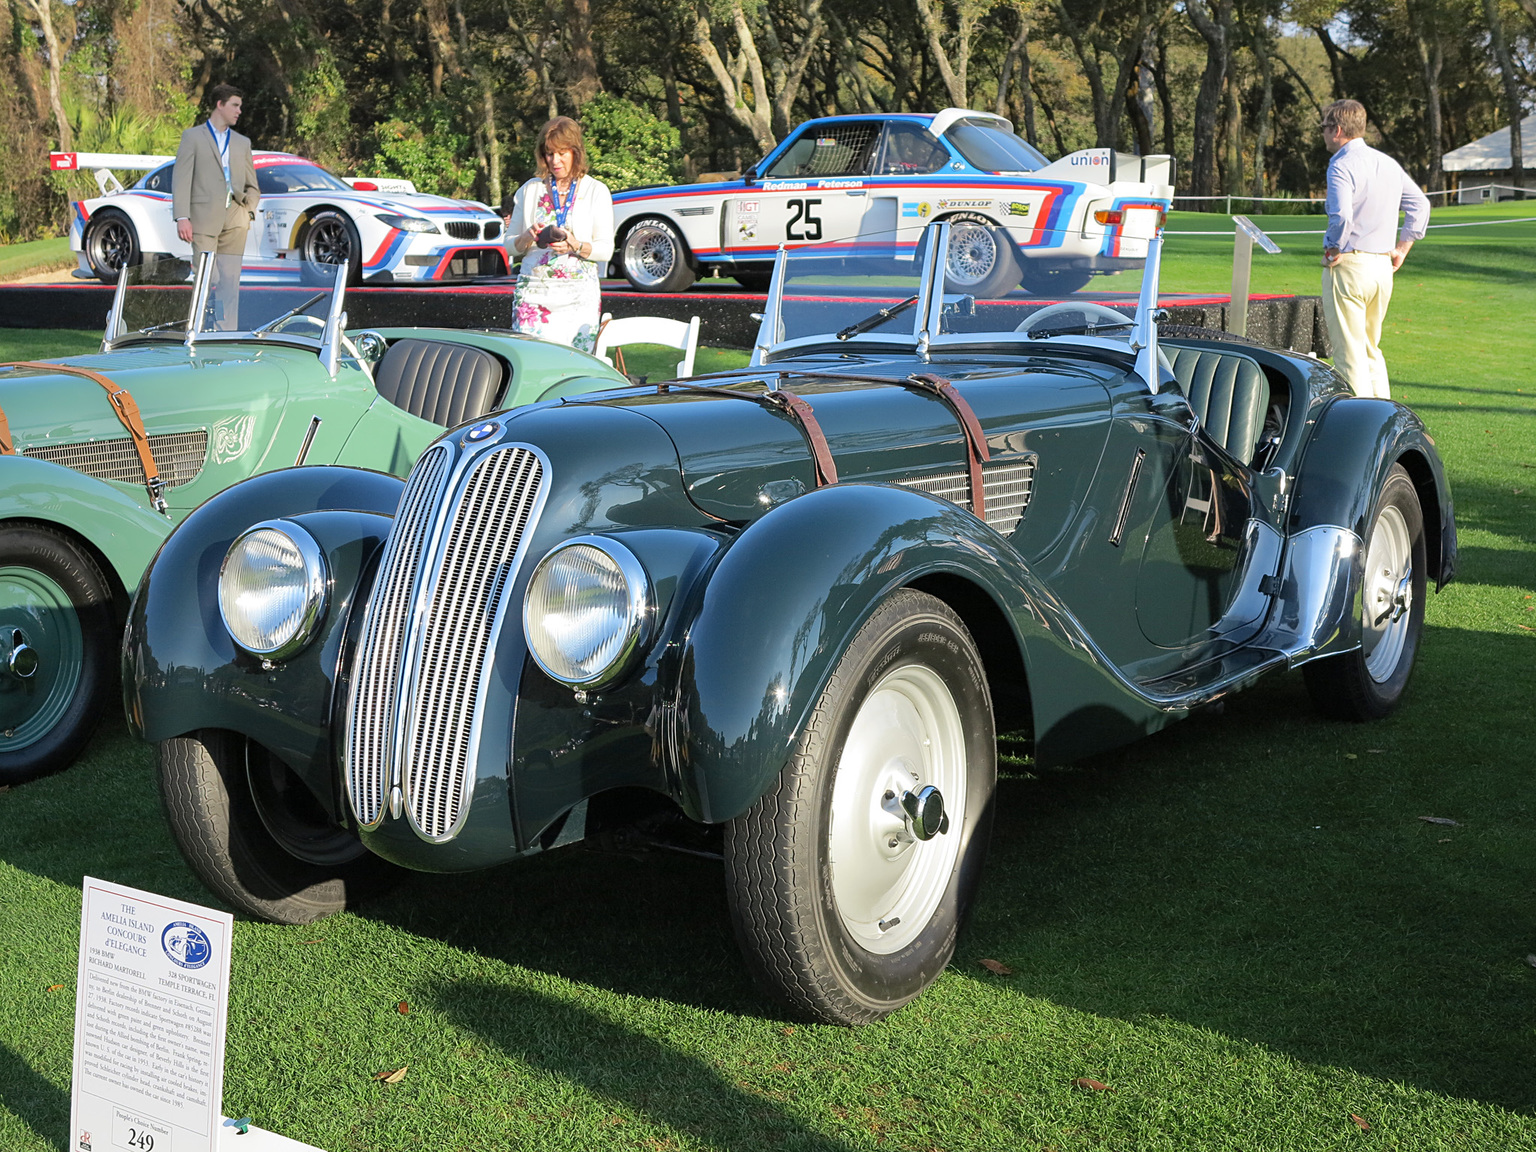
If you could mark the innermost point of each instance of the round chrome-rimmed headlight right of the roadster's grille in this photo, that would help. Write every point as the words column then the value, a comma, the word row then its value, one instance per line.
column 588, row 611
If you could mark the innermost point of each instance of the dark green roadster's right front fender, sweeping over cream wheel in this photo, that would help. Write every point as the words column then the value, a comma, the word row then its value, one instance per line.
column 787, row 598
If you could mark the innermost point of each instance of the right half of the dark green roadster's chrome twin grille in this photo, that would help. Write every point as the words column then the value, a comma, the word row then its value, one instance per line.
column 454, row 637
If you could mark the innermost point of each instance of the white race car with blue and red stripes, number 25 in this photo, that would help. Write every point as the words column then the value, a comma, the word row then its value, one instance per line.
column 1016, row 219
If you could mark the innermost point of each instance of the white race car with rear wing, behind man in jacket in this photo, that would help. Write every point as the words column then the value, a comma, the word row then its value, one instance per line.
column 383, row 230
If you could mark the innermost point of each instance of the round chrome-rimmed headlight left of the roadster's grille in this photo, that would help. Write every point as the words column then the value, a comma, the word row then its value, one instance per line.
column 273, row 589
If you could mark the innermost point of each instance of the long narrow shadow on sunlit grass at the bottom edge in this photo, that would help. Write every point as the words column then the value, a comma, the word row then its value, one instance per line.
column 614, row 1062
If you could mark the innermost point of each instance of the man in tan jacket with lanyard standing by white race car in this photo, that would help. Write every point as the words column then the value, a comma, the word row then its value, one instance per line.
column 214, row 199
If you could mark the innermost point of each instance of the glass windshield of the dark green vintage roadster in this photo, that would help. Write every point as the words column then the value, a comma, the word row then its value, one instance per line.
column 965, row 280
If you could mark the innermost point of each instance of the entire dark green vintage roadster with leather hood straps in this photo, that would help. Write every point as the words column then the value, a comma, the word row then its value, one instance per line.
column 786, row 611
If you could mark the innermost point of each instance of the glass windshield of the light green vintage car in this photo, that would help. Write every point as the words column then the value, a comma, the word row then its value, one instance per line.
column 234, row 297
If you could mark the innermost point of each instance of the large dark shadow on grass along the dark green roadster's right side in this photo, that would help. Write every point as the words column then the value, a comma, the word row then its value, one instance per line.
column 1266, row 876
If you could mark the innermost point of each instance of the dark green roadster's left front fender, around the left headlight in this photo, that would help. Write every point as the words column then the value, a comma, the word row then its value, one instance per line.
column 180, row 667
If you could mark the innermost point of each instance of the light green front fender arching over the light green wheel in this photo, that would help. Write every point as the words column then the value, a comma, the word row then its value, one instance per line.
column 125, row 531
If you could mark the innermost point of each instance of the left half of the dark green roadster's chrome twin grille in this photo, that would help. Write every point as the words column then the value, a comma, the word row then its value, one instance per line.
column 371, row 724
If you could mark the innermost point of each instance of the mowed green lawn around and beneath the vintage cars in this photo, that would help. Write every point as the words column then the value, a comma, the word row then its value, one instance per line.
column 1242, row 927
